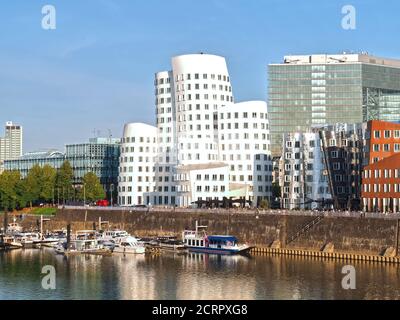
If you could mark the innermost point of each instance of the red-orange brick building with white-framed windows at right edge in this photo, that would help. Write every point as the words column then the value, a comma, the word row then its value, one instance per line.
column 381, row 174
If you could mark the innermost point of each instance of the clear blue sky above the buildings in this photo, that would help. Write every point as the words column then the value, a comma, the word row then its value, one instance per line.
column 95, row 71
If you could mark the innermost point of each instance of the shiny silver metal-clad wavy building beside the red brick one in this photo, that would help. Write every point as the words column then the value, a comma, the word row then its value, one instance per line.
column 322, row 168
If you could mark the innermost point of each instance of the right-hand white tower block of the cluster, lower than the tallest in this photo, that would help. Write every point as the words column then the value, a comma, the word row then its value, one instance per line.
column 244, row 143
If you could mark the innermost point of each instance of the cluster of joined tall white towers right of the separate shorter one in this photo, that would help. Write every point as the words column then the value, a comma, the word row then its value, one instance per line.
column 200, row 129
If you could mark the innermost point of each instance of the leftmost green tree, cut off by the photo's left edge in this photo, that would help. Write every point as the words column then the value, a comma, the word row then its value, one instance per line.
column 8, row 190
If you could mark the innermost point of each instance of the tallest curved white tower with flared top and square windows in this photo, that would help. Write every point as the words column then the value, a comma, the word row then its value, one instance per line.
column 201, row 87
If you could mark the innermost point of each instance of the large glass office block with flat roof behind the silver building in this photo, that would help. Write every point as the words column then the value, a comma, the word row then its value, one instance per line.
column 314, row 90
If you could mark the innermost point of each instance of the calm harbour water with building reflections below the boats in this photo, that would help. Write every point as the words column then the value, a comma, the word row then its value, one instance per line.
column 192, row 277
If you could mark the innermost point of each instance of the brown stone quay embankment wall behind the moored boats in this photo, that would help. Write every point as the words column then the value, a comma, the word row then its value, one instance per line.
column 345, row 235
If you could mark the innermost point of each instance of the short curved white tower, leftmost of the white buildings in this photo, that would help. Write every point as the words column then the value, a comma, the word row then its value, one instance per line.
column 138, row 155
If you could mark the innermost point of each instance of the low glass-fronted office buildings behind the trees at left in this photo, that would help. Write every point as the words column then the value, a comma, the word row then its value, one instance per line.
column 99, row 155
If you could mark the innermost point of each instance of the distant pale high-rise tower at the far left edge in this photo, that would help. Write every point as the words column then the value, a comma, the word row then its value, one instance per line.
column 12, row 142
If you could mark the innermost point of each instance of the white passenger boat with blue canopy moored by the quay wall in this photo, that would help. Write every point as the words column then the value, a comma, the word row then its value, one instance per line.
column 199, row 242
